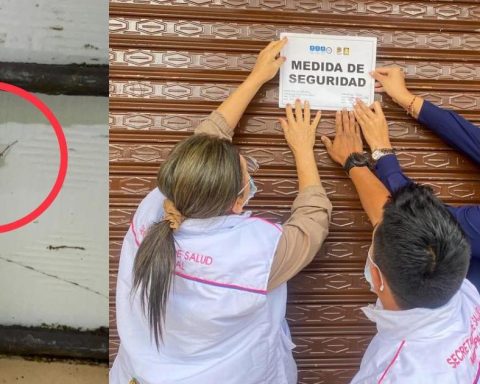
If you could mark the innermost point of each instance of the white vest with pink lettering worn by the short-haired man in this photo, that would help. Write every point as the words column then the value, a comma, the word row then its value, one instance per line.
column 425, row 346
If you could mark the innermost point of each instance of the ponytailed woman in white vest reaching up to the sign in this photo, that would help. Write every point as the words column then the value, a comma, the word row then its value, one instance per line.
column 201, row 291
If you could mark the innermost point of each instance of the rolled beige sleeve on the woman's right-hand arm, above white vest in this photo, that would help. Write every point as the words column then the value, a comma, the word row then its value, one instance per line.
column 303, row 235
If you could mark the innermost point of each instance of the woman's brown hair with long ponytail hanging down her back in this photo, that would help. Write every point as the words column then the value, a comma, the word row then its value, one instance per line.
column 202, row 176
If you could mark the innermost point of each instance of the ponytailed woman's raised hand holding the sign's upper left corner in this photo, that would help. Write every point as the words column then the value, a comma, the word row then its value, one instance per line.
column 268, row 62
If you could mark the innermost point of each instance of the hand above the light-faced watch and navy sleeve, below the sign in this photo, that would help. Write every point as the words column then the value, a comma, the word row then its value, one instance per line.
column 374, row 125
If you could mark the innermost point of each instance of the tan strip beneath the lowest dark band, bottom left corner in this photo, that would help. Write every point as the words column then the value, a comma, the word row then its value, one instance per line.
column 21, row 371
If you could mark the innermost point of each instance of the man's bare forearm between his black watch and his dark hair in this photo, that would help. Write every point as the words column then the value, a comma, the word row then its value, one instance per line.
column 373, row 194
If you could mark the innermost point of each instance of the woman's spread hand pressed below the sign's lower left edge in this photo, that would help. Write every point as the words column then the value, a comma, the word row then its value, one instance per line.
column 299, row 131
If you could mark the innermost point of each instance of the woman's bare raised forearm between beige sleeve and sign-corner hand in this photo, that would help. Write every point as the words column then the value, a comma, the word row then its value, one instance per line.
column 234, row 106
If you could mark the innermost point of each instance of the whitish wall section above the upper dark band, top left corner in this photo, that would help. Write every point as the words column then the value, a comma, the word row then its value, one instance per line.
column 54, row 31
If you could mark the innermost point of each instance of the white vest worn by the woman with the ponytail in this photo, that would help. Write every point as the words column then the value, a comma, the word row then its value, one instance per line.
column 222, row 326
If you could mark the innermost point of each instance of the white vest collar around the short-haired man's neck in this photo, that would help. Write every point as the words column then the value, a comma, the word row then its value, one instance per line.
column 415, row 322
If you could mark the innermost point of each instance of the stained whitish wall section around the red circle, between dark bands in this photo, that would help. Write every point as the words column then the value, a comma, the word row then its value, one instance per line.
column 41, row 281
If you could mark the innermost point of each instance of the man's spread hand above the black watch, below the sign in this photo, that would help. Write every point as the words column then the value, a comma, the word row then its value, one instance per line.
column 347, row 139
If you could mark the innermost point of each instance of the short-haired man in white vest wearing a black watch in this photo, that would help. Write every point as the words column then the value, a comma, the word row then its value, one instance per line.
column 427, row 313
